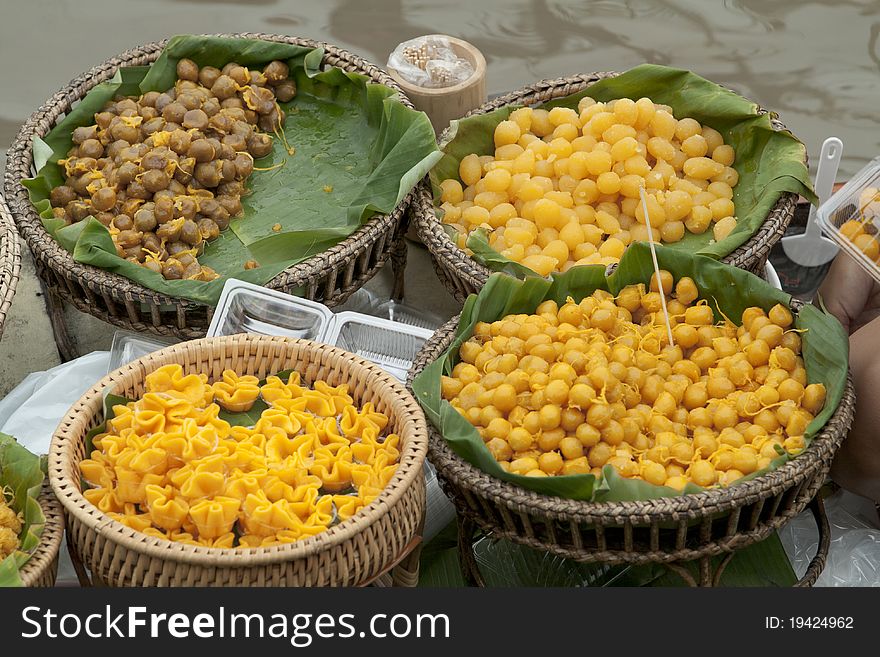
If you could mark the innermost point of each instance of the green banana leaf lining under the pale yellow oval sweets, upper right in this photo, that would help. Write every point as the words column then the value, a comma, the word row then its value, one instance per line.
column 769, row 162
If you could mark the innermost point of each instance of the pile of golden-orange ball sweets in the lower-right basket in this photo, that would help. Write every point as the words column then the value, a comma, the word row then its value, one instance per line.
column 573, row 388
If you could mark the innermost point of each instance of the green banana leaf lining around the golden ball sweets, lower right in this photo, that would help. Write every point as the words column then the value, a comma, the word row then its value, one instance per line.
column 729, row 291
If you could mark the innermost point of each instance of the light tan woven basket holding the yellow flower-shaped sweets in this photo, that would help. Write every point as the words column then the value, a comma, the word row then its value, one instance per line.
column 358, row 551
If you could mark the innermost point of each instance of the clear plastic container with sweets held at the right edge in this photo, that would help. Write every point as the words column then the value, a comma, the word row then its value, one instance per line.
column 853, row 213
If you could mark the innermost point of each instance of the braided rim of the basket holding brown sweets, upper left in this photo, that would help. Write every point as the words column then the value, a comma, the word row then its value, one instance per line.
column 19, row 164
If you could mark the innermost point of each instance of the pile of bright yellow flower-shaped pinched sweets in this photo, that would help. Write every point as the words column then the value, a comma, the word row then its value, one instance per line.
column 169, row 466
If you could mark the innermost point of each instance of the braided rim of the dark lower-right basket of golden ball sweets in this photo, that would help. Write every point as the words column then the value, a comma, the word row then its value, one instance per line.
column 464, row 475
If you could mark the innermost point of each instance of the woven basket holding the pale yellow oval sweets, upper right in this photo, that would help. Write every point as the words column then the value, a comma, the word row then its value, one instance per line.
column 462, row 275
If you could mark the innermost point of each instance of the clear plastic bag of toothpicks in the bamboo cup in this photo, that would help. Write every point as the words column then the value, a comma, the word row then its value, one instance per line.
column 429, row 62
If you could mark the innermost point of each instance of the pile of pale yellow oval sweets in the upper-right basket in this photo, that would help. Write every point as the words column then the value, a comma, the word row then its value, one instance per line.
column 563, row 186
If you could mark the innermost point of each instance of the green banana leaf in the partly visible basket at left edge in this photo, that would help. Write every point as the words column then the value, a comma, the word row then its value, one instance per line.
column 21, row 477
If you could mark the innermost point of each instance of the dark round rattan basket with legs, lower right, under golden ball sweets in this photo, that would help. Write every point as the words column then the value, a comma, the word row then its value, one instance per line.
column 668, row 530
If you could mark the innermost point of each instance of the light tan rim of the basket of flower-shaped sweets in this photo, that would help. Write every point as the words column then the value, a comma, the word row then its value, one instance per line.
column 409, row 468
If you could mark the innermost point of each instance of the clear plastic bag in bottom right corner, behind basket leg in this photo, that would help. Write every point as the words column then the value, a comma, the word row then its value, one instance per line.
column 854, row 554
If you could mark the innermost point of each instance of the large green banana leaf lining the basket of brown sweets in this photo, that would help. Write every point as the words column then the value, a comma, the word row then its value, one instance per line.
column 351, row 137
